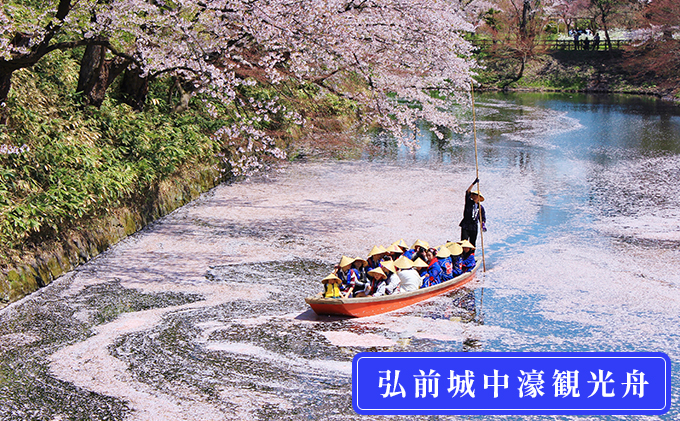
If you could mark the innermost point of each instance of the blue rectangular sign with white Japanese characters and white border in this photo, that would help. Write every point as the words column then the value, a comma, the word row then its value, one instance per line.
column 602, row 383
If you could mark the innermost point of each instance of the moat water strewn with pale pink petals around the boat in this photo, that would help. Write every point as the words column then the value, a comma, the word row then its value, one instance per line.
column 201, row 315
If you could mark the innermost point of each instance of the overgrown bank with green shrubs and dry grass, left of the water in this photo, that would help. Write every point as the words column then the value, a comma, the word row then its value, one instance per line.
column 75, row 179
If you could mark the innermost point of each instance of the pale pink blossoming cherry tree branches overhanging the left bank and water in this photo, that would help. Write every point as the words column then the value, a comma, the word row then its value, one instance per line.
column 410, row 54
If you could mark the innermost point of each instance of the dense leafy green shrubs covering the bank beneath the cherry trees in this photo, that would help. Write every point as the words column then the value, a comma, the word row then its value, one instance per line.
column 81, row 163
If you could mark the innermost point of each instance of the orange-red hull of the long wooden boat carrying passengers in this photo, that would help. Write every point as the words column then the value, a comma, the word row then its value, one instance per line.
column 369, row 306
